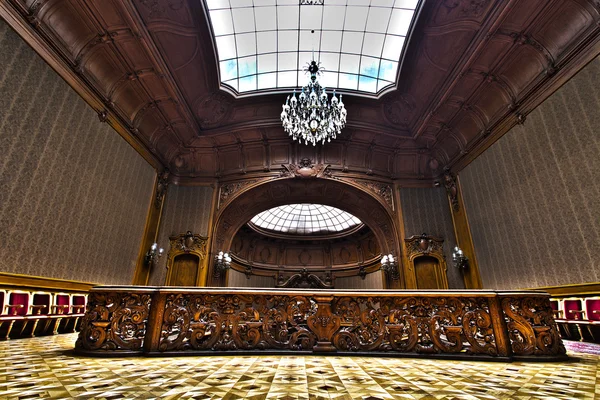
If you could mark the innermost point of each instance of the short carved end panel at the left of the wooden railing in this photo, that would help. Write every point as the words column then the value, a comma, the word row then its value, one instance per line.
column 115, row 321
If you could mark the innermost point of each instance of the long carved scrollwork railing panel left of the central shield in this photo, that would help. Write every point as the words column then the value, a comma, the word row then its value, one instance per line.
column 236, row 322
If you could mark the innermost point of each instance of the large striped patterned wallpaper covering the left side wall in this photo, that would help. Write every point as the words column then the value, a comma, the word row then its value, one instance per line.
column 74, row 195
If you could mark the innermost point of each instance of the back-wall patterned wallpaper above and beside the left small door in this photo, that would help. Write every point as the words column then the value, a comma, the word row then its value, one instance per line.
column 187, row 208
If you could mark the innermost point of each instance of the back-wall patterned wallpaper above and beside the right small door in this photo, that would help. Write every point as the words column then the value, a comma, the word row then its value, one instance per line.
column 426, row 210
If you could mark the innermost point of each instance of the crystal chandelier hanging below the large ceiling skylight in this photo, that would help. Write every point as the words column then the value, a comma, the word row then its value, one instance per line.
column 311, row 116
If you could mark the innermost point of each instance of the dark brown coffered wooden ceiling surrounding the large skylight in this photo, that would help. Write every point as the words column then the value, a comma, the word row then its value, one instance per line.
column 473, row 69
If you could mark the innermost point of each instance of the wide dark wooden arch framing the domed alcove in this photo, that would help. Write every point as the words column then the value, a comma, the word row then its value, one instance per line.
column 333, row 192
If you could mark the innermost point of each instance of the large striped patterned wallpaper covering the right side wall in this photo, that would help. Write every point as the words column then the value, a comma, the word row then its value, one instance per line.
column 533, row 198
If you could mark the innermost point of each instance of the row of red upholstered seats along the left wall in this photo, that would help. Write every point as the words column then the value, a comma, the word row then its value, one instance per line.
column 28, row 313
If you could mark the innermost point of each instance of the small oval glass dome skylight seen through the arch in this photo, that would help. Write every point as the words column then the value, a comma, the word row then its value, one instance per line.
column 305, row 219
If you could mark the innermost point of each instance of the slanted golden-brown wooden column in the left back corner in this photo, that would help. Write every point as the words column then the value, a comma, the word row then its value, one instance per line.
column 142, row 269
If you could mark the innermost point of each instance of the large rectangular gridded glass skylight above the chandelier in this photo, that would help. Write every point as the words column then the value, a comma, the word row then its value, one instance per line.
column 265, row 44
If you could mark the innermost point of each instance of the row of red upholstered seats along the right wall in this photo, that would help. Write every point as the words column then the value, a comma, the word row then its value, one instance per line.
column 578, row 318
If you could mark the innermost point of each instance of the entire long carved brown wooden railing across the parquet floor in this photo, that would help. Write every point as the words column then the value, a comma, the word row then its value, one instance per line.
column 483, row 324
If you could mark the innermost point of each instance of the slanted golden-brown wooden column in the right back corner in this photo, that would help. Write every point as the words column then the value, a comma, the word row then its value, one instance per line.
column 462, row 230
